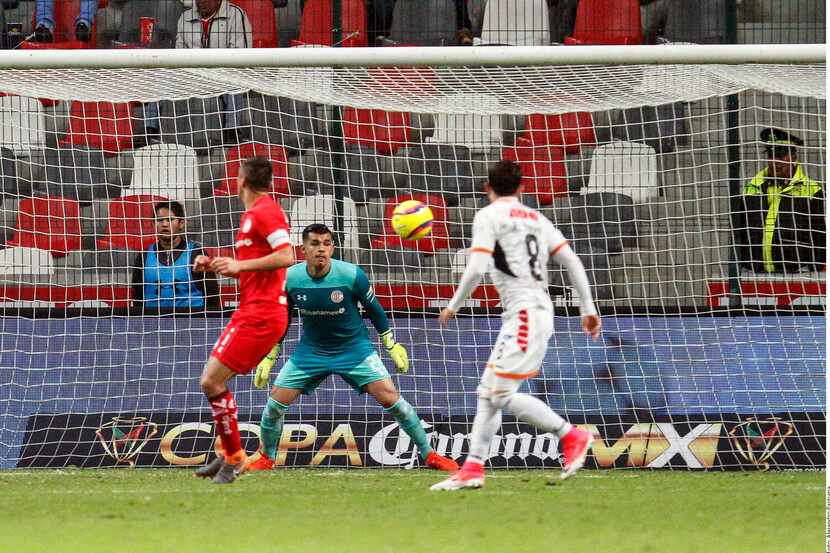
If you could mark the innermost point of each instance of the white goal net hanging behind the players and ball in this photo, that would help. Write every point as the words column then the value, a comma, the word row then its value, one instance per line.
column 703, row 238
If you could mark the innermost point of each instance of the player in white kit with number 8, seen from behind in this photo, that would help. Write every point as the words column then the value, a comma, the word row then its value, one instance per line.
column 519, row 240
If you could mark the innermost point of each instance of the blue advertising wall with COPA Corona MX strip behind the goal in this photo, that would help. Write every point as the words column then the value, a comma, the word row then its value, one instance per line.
column 658, row 392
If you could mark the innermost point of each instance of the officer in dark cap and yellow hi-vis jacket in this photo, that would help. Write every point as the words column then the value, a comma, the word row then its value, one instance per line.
column 783, row 226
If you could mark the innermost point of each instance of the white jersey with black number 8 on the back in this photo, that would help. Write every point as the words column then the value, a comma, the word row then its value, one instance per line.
column 522, row 240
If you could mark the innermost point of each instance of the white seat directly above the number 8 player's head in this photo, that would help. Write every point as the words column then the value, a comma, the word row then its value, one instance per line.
column 476, row 131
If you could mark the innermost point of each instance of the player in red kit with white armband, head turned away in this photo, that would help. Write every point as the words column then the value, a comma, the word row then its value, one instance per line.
column 263, row 252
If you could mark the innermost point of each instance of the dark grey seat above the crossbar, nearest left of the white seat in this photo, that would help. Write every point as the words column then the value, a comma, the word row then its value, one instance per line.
column 424, row 23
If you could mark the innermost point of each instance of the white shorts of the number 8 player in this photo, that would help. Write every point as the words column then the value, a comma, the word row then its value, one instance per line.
column 521, row 345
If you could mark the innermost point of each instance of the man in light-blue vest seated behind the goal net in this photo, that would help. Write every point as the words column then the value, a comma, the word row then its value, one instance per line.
column 163, row 275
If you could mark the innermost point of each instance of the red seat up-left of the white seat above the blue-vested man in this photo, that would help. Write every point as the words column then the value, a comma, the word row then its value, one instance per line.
column 103, row 126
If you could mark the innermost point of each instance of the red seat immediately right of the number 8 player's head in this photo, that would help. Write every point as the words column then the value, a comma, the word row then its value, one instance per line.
column 544, row 173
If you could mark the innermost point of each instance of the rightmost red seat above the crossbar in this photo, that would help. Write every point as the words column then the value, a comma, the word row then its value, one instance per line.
column 607, row 22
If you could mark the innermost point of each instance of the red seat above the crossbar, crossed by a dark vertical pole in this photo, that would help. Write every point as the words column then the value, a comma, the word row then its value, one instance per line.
column 316, row 24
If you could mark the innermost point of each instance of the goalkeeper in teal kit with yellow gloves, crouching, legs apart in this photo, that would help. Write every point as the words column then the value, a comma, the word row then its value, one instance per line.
column 335, row 341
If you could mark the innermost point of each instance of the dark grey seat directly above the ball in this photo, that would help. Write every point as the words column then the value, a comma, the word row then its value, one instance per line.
column 437, row 168
